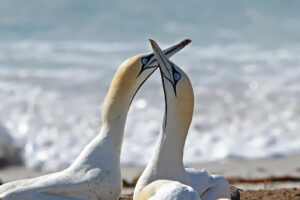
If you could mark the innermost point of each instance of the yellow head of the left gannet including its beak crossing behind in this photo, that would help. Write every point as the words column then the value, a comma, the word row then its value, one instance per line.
column 129, row 78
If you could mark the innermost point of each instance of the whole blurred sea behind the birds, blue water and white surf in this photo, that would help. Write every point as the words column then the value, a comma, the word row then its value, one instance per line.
column 57, row 59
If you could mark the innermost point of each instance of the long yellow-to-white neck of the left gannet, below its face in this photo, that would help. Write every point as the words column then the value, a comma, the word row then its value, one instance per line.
column 106, row 147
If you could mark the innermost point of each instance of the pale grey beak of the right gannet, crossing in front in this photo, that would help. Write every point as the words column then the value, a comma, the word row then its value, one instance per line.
column 164, row 63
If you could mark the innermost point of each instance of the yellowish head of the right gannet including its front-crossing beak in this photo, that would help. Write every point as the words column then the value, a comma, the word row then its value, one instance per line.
column 179, row 95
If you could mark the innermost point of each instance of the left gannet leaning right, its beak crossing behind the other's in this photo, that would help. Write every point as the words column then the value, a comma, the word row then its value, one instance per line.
column 95, row 174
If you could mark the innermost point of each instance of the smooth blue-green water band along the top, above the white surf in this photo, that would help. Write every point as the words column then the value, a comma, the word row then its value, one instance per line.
column 262, row 22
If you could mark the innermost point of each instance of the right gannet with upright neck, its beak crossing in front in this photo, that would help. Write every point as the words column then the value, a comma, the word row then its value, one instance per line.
column 167, row 160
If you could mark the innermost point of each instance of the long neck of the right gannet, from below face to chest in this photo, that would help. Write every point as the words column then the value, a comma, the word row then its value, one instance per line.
column 167, row 159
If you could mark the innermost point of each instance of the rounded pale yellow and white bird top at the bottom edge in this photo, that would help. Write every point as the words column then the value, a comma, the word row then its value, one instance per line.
column 167, row 190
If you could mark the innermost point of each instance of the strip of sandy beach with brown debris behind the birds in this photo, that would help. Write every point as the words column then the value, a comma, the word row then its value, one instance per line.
column 258, row 179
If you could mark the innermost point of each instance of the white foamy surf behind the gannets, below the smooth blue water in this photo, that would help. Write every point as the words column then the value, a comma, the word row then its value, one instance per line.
column 246, row 101
